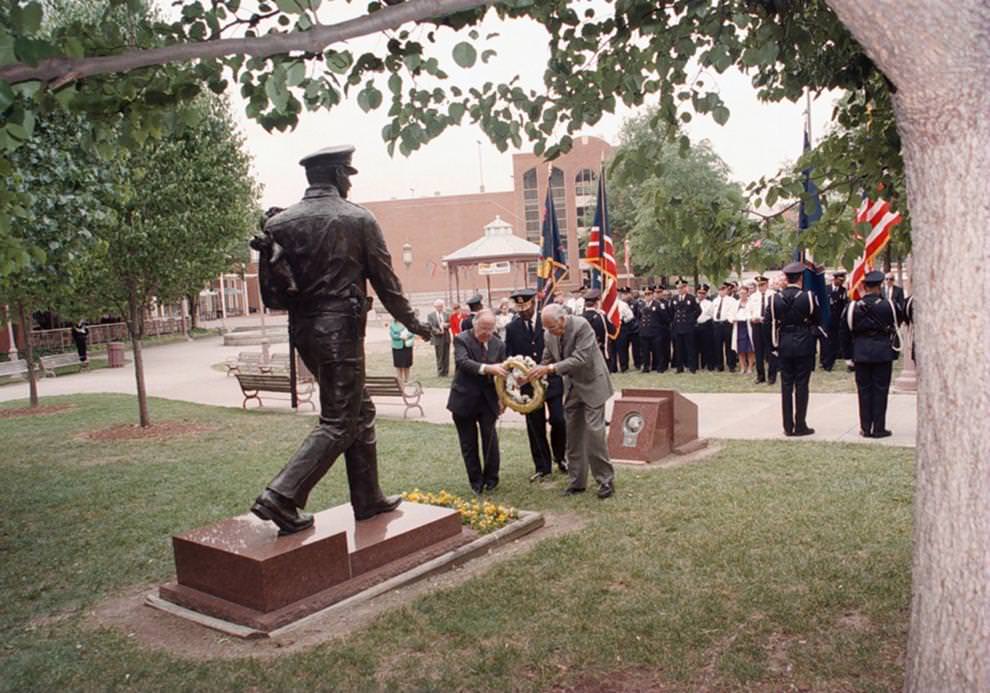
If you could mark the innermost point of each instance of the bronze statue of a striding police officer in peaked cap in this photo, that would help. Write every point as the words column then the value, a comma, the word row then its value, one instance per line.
column 332, row 248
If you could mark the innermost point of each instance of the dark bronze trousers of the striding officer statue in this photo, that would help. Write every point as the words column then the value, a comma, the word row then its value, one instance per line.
column 332, row 347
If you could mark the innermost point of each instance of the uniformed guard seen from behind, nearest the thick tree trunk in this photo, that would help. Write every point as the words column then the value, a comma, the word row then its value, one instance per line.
column 869, row 337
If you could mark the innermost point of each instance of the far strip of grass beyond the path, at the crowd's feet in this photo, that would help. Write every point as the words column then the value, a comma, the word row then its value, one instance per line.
column 424, row 370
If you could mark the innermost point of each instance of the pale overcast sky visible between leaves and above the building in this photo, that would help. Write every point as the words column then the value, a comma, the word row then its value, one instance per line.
column 757, row 139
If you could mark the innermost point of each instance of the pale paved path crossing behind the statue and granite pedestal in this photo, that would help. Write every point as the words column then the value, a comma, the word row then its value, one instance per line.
column 182, row 371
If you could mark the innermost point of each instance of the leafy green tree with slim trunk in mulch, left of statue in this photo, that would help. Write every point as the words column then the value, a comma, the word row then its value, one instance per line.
column 184, row 205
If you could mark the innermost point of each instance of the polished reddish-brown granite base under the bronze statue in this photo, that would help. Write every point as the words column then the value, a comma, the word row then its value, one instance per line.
column 241, row 570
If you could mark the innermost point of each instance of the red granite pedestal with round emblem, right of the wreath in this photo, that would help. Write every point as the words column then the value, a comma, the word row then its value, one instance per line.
column 647, row 425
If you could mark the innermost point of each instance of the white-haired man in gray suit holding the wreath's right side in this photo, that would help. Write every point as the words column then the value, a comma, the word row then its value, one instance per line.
column 571, row 351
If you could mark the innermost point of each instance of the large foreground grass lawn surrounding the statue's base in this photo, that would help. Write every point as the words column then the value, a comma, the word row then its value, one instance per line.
column 768, row 565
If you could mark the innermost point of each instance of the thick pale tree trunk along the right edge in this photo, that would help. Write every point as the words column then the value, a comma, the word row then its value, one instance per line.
column 937, row 54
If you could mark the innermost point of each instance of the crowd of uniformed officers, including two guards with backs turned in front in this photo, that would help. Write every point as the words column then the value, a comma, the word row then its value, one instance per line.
column 773, row 331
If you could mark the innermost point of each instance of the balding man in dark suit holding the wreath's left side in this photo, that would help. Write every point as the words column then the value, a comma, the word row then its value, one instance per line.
column 478, row 356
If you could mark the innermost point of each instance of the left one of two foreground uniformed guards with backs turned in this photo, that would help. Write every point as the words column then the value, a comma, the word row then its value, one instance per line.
column 794, row 319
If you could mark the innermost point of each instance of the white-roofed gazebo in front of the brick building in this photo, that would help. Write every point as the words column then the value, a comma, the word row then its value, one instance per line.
column 494, row 253
